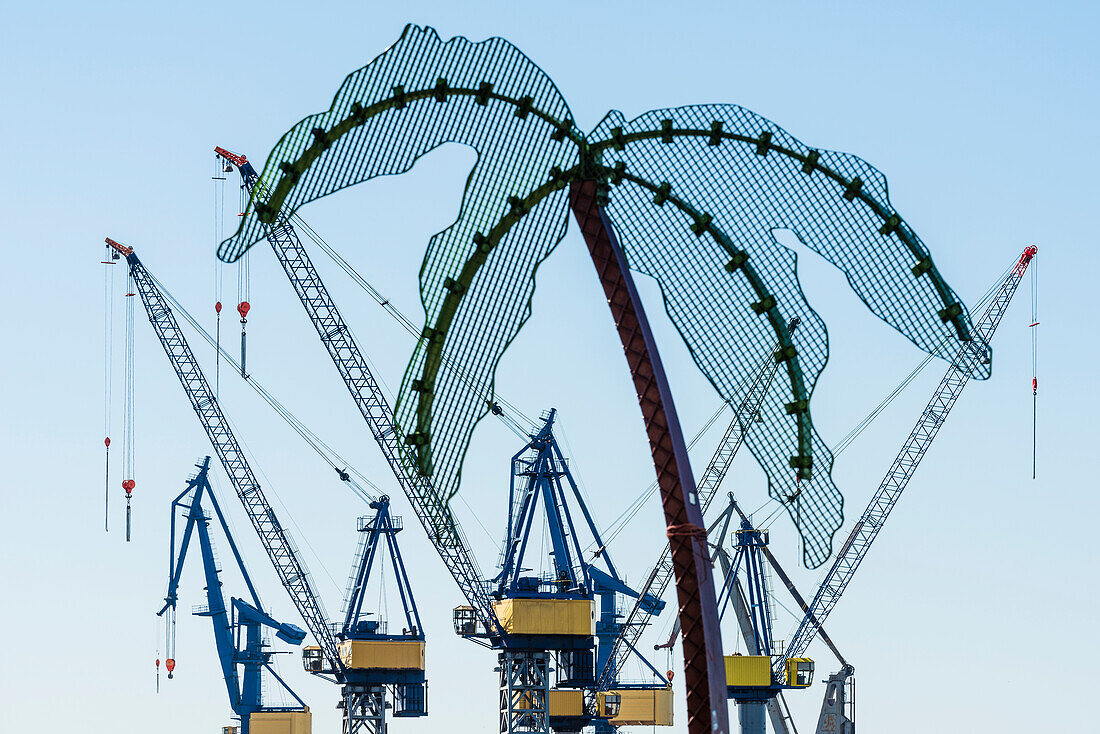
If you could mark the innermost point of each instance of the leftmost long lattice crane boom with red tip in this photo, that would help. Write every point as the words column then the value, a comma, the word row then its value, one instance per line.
column 273, row 536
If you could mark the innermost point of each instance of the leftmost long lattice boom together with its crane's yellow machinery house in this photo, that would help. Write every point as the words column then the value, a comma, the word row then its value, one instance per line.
column 277, row 541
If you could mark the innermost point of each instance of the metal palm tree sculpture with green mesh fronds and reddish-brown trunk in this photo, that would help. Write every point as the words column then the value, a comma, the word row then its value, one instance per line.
column 690, row 196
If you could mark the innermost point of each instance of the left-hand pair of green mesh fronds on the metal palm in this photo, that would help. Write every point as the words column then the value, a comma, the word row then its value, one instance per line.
column 416, row 96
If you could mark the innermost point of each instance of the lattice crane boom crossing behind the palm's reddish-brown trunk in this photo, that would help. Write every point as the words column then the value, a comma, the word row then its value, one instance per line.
column 659, row 578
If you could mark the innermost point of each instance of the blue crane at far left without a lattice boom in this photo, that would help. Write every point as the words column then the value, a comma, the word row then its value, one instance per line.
column 254, row 658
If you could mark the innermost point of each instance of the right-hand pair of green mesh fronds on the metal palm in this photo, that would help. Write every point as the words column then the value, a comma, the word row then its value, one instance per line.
column 697, row 185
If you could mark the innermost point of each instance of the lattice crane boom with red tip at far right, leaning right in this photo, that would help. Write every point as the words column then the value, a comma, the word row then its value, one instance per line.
column 970, row 356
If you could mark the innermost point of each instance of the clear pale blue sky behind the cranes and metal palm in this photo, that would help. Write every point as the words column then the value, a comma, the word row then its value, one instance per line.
column 976, row 608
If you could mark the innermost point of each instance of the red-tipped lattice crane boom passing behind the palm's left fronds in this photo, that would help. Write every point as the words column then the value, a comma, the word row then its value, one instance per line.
column 433, row 512
